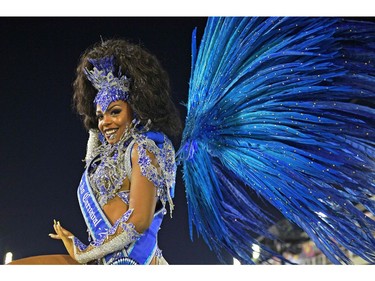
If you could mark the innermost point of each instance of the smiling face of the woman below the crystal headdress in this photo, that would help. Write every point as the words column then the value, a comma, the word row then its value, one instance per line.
column 114, row 121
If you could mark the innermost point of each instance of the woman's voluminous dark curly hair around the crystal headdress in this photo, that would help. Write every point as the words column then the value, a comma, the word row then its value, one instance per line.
column 149, row 94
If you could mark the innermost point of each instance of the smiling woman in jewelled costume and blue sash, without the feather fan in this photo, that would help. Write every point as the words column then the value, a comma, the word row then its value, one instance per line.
column 122, row 93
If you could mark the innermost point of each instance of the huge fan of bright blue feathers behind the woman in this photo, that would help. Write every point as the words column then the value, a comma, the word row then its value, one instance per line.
column 280, row 113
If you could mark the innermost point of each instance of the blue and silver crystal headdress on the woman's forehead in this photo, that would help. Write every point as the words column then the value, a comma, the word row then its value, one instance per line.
column 110, row 88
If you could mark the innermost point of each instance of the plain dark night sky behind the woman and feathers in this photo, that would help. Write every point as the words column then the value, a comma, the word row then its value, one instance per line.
column 42, row 140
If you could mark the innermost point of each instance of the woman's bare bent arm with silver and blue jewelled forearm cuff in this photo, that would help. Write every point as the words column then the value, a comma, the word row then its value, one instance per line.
column 128, row 226
